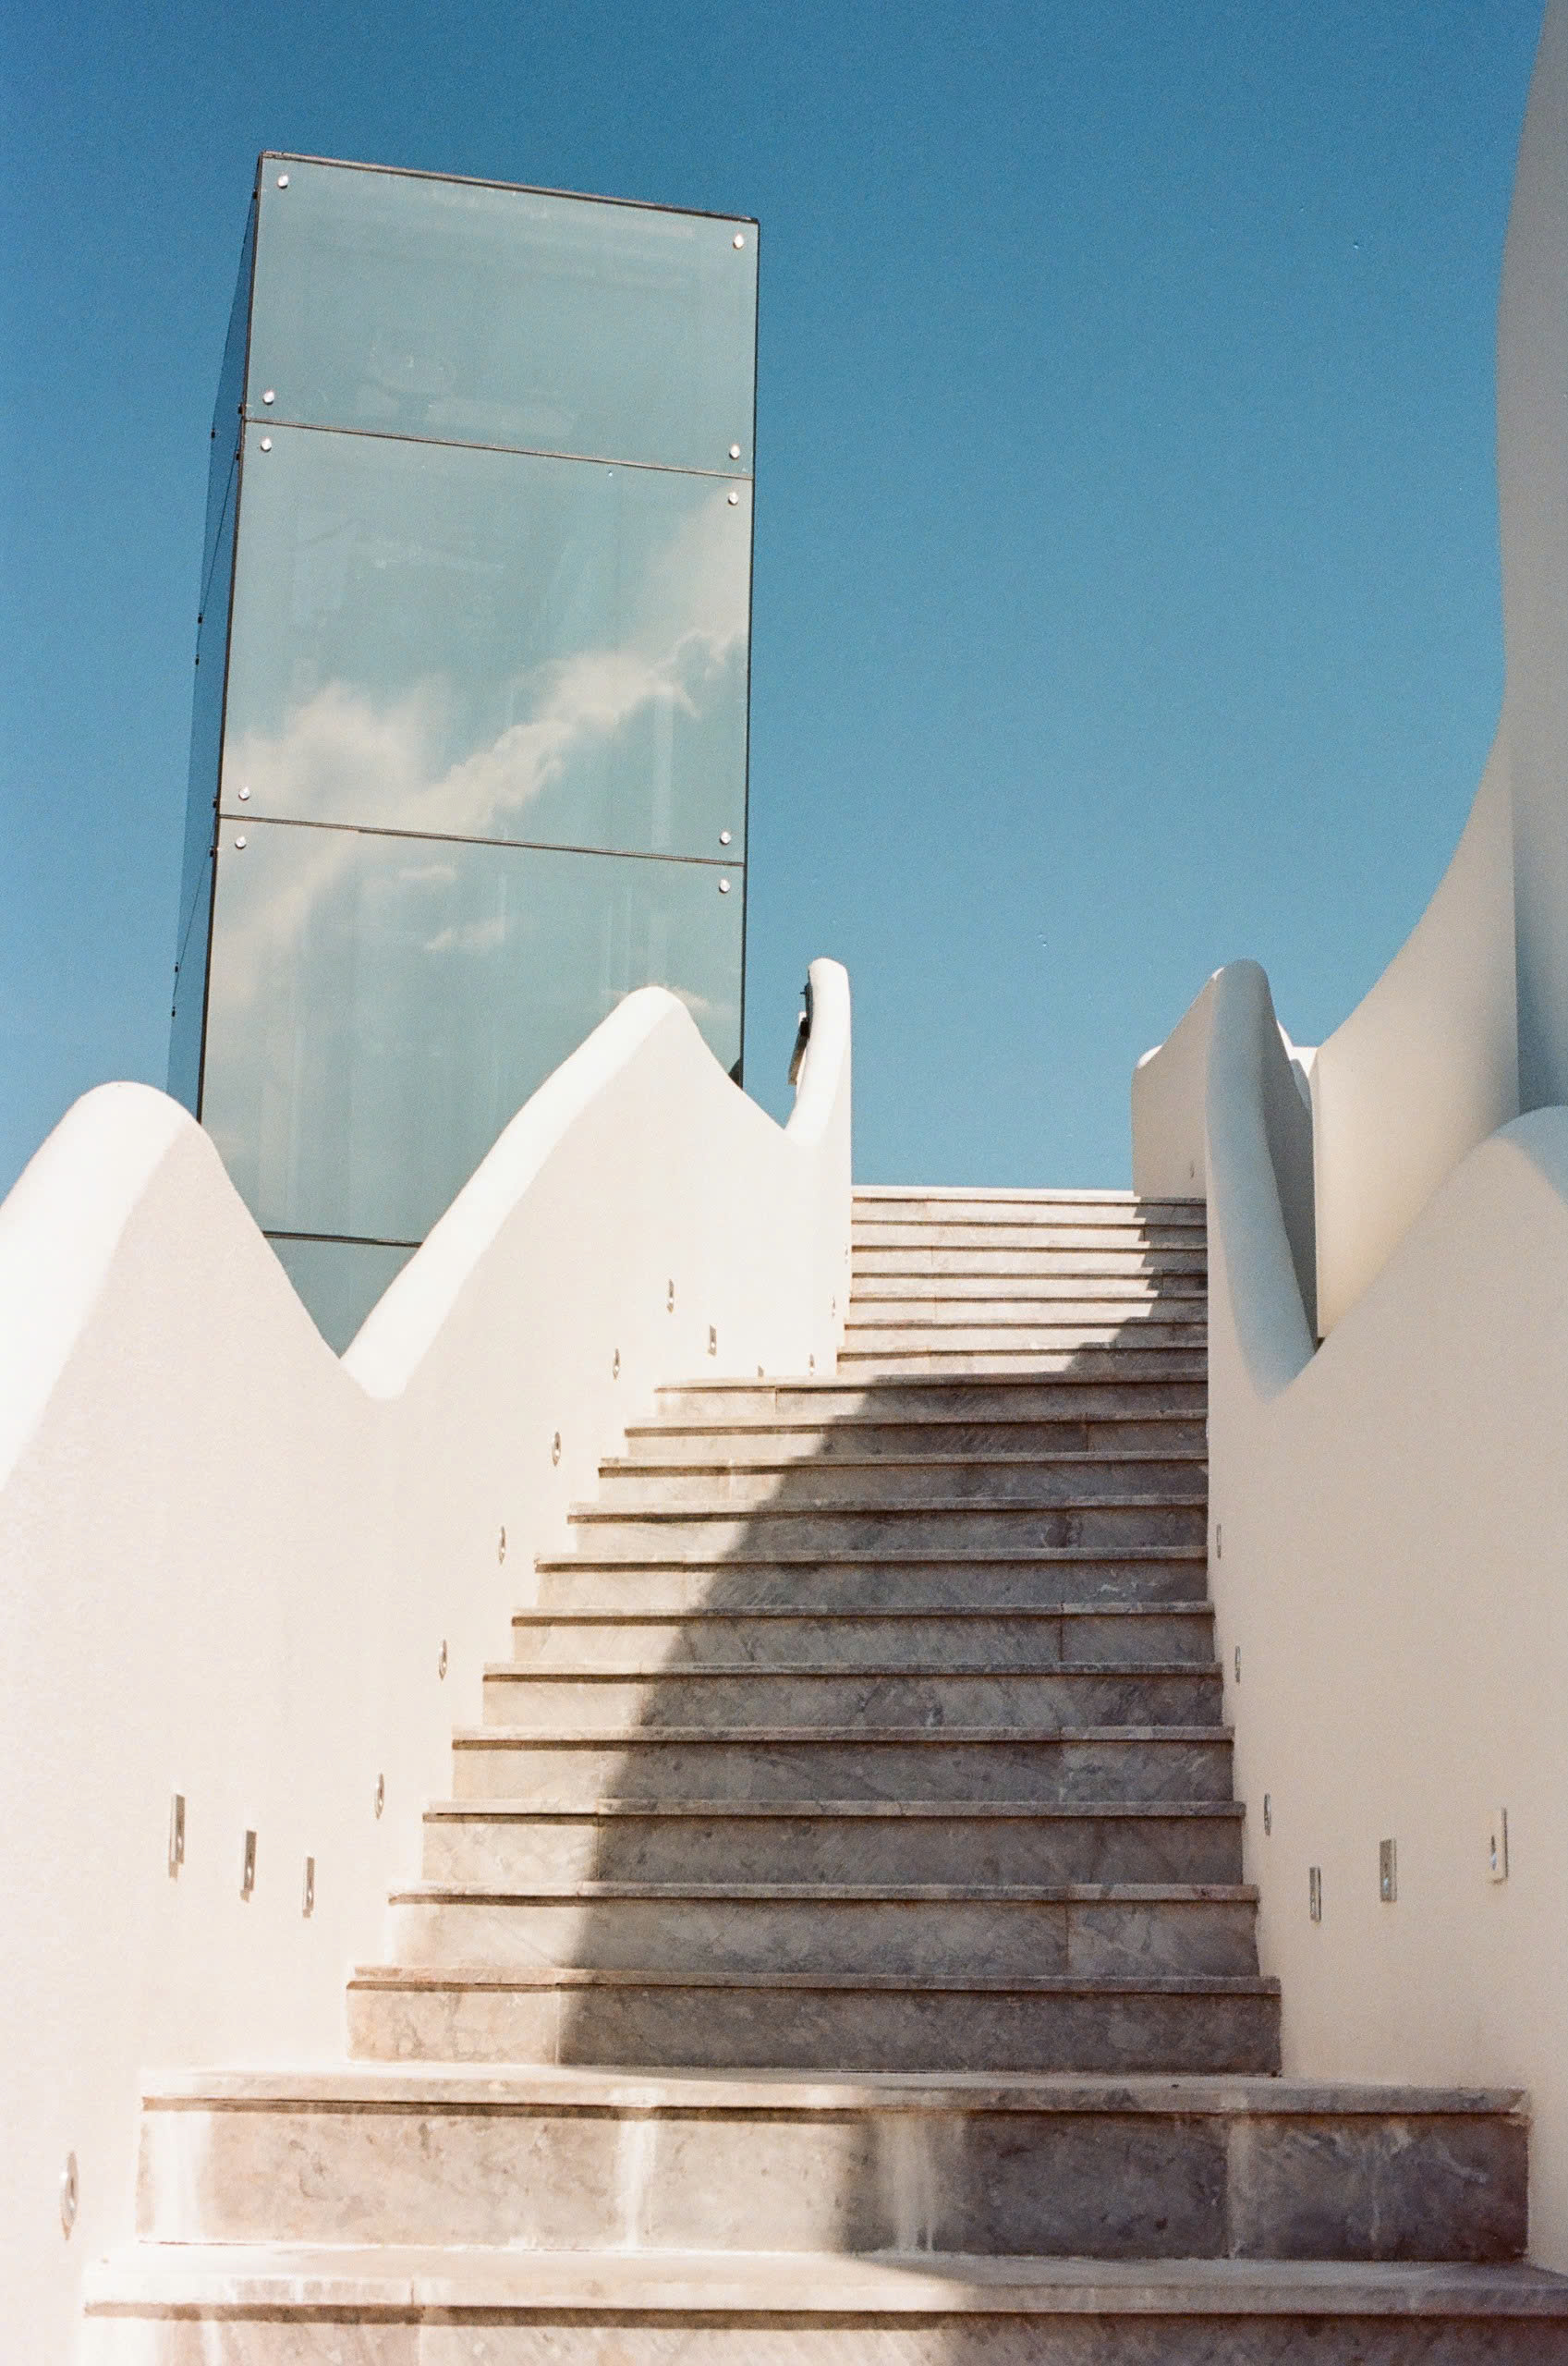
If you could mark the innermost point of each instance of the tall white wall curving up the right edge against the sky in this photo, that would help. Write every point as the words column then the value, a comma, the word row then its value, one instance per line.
column 1470, row 1023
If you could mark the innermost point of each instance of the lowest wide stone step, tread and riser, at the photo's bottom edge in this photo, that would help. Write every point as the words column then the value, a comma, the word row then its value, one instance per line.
column 290, row 2306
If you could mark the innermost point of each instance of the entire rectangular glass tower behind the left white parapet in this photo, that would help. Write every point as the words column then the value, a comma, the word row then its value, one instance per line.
column 472, row 687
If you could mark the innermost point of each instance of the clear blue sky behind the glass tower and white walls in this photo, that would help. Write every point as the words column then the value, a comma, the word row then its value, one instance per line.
column 1127, row 548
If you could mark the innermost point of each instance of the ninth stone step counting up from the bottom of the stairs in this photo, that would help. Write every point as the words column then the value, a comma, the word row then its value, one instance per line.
column 879, row 1582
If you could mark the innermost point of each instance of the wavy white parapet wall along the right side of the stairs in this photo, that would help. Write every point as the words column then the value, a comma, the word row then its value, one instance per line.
column 1392, row 1601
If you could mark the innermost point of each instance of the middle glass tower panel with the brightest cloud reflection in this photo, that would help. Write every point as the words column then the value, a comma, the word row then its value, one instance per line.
column 491, row 645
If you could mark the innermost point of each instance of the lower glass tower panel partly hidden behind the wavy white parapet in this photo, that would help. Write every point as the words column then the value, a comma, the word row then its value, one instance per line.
column 384, row 1007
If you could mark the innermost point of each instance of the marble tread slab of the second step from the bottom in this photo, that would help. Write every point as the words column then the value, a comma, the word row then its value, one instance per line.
column 590, row 2086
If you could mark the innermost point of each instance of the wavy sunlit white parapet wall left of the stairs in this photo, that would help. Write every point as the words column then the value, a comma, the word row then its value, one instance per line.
column 247, row 1572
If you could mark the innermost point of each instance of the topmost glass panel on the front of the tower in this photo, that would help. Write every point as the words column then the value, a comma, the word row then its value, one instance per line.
column 495, row 316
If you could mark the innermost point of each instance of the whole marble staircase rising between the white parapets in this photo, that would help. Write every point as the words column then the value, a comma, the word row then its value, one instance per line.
column 838, row 1941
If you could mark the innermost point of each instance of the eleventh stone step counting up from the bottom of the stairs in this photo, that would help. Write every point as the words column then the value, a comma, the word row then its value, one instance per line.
column 954, row 1478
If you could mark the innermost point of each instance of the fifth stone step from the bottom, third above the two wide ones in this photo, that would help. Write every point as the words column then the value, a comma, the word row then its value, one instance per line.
column 869, row 1842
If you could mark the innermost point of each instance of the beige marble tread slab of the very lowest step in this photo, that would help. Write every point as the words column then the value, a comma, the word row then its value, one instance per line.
column 924, row 2284
